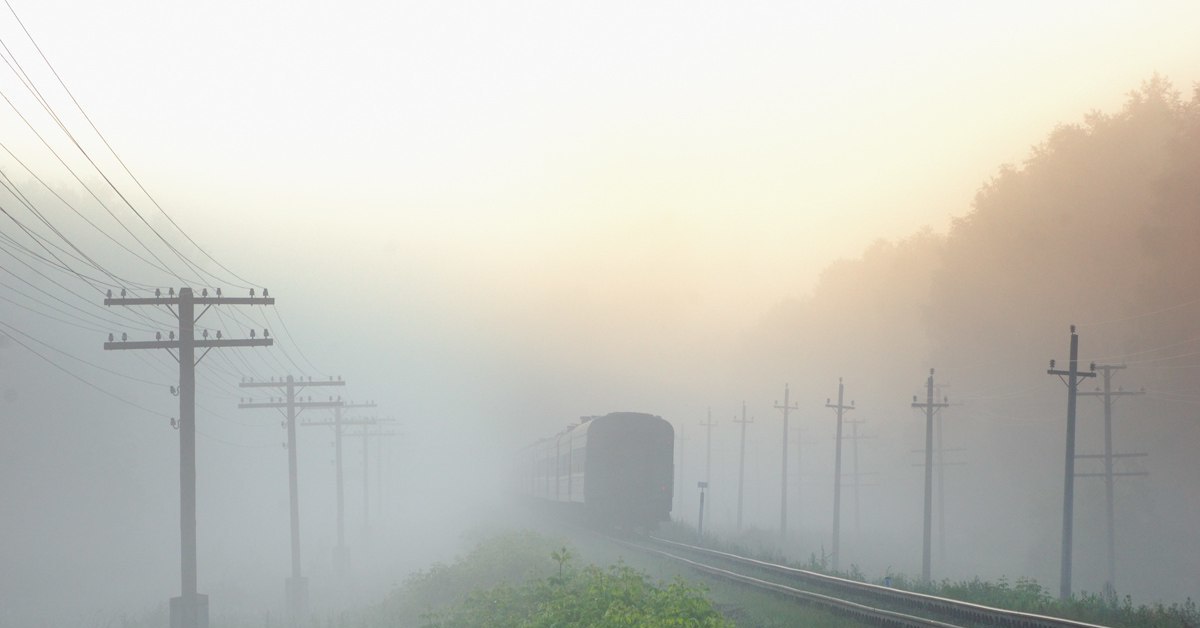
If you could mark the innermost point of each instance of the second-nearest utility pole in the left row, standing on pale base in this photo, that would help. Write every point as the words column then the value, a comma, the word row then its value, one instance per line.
column 297, row 587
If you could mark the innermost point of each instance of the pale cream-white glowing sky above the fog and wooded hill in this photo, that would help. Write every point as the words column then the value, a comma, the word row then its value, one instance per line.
column 723, row 152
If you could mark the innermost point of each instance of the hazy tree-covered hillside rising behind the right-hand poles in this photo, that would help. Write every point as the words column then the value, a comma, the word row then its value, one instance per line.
column 1100, row 228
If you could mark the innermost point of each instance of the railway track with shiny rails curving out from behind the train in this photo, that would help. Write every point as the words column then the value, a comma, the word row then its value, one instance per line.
column 872, row 605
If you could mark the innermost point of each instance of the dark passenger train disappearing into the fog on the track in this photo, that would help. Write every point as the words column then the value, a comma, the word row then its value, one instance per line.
column 614, row 471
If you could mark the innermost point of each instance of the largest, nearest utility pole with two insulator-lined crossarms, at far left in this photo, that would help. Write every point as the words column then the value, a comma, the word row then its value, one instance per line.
column 190, row 609
